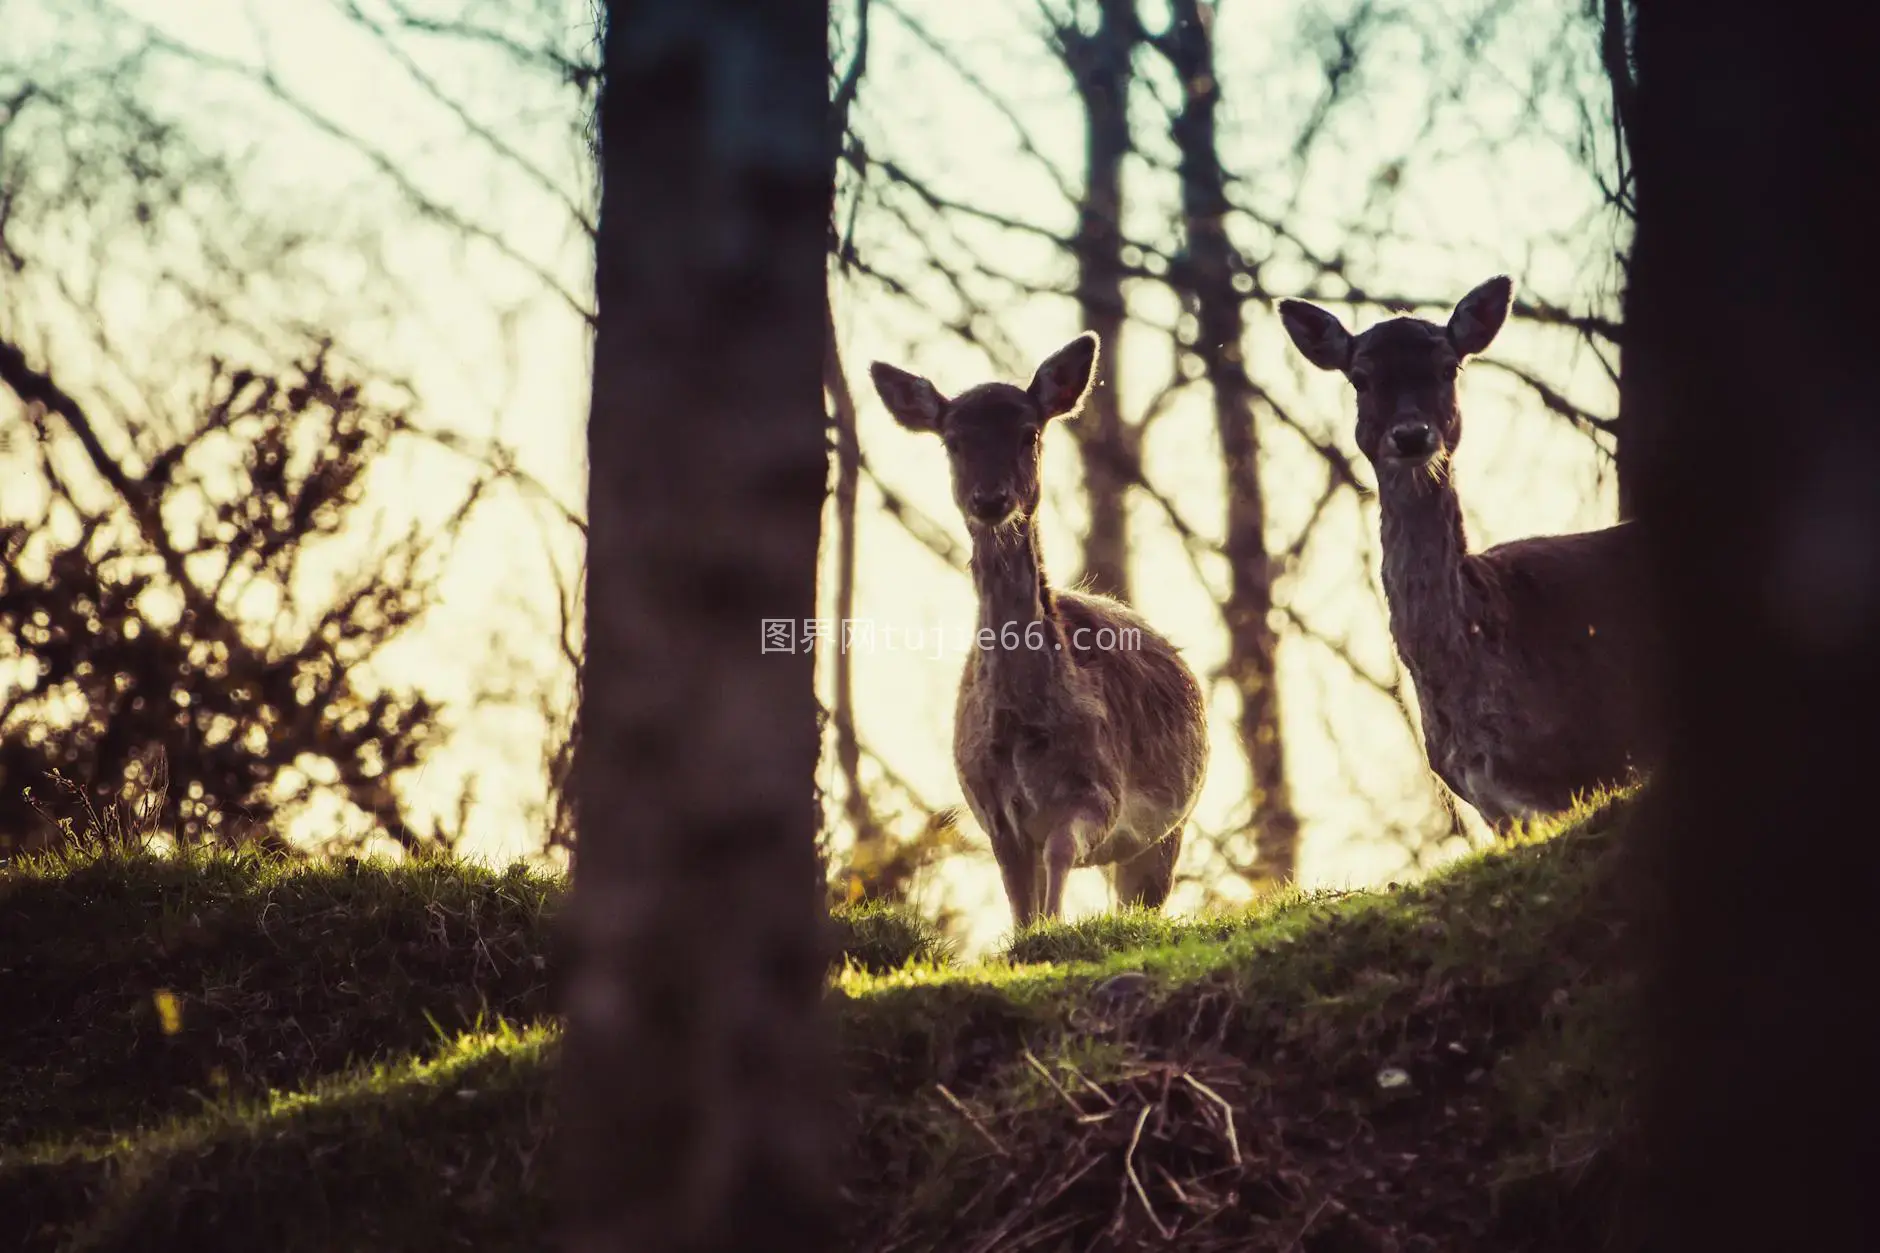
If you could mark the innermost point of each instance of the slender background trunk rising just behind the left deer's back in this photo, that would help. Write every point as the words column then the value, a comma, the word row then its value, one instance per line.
column 1103, row 67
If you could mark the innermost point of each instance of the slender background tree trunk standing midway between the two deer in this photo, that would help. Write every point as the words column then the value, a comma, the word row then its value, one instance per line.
column 1206, row 279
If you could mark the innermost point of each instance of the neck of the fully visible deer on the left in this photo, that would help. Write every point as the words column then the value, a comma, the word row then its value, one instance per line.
column 1020, row 641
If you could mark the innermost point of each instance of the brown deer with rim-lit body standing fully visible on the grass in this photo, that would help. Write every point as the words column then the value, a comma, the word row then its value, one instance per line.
column 1080, row 735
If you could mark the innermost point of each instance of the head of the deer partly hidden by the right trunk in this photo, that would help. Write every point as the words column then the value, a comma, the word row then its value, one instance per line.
column 1403, row 372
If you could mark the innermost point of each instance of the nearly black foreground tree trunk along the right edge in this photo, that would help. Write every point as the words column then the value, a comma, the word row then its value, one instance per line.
column 1749, row 341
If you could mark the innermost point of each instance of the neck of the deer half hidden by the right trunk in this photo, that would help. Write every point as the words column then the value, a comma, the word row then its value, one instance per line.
column 1433, row 605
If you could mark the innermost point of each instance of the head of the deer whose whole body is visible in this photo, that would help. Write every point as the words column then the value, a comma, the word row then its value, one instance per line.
column 994, row 432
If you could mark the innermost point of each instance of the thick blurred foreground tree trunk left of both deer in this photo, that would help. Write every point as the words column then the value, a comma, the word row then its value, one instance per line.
column 695, row 1077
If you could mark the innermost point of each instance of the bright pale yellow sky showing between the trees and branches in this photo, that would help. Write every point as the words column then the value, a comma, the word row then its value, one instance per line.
column 492, row 349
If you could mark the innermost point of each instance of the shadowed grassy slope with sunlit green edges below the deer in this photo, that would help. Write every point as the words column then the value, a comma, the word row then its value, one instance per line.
column 1424, row 1070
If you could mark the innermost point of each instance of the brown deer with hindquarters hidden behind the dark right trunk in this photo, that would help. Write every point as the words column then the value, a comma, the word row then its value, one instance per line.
column 1527, row 656
